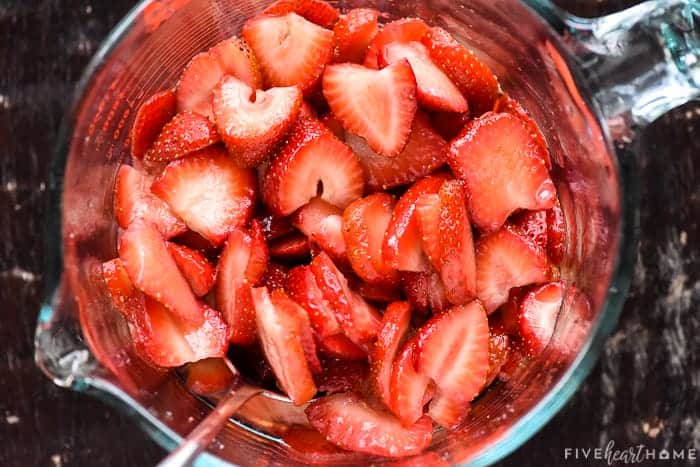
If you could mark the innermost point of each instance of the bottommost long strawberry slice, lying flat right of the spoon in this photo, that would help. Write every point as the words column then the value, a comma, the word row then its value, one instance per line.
column 352, row 423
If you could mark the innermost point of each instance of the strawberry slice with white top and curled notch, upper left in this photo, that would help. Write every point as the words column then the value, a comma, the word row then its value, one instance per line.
column 252, row 122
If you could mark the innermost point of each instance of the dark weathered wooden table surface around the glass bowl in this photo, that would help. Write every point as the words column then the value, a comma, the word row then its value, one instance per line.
column 644, row 390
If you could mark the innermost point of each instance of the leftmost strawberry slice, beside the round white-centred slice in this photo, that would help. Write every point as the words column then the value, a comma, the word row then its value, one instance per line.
column 133, row 199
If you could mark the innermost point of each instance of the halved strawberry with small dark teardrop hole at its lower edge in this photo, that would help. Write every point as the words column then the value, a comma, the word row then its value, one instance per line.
column 312, row 163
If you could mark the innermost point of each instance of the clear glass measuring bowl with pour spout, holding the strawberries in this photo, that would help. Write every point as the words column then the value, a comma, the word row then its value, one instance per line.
column 82, row 343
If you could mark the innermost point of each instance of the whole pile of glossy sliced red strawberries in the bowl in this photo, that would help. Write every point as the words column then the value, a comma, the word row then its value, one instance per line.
column 359, row 201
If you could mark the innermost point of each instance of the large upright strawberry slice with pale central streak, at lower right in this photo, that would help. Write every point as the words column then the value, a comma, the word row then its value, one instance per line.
column 453, row 350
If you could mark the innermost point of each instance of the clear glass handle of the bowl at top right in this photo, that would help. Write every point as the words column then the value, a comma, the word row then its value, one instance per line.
column 639, row 63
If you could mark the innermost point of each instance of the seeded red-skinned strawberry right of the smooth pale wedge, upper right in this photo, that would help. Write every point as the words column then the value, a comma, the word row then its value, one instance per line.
column 476, row 81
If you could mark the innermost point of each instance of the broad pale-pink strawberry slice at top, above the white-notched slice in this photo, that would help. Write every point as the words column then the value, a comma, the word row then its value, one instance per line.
column 291, row 50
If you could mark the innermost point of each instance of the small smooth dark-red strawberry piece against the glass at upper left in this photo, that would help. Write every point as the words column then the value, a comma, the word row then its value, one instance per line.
column 152, row 115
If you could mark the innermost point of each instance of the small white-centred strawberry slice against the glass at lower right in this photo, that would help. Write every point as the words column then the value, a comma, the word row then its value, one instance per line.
column 538, row 315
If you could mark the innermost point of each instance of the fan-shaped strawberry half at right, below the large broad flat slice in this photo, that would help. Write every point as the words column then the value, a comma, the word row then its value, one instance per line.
column 505, row 260
